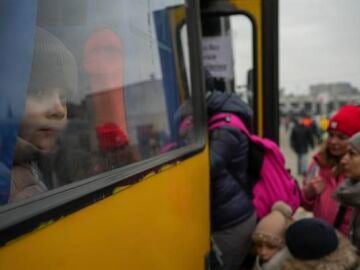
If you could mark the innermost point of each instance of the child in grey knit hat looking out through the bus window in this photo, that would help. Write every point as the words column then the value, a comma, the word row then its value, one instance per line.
column 40, row 161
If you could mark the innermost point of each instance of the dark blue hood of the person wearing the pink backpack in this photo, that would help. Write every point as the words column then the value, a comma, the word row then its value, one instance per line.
column 229, row 102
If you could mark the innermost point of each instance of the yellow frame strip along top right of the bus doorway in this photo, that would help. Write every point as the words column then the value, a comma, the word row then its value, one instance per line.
column 253, row 7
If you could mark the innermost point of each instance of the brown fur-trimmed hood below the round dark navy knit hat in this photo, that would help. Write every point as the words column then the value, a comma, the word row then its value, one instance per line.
column 343, row 258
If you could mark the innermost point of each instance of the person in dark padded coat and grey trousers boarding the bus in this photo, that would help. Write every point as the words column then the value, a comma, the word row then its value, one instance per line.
column 233, row 217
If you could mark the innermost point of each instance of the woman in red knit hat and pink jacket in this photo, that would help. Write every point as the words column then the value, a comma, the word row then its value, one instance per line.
column 325, row 173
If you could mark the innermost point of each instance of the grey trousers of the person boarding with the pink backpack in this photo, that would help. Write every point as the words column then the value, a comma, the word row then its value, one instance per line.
column 234, row 243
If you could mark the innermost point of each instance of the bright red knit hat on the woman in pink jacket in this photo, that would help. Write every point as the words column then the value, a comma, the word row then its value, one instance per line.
column 346, row 120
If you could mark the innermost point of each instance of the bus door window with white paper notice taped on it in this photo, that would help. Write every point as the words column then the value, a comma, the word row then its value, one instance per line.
column 228, row 54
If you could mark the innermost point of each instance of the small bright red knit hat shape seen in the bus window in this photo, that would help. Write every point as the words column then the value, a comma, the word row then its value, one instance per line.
column 110, row 136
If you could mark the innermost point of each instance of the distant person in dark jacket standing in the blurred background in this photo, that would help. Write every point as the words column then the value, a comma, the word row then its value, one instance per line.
column 301, row 140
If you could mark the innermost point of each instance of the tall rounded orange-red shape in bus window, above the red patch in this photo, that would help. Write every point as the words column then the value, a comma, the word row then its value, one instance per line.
column 103, row 62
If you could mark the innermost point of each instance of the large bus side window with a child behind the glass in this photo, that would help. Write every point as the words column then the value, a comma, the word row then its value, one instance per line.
column 108, row 87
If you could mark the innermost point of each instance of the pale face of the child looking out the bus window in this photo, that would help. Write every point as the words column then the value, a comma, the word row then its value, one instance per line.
column 44, row 118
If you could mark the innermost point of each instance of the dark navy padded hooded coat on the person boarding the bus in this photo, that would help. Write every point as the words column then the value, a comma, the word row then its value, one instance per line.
column 230, row 203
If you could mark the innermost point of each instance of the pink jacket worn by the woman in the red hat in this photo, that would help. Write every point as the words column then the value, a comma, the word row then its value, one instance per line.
column 324, row 206
